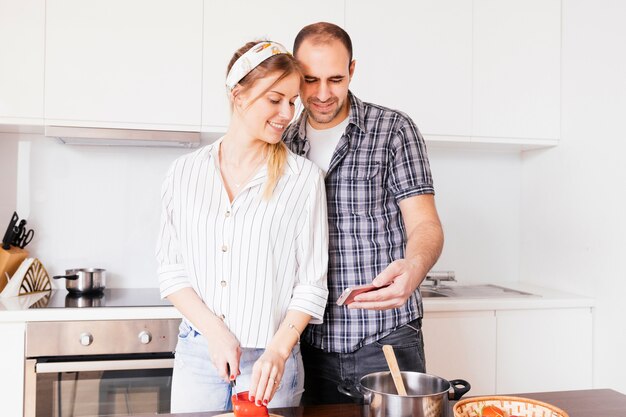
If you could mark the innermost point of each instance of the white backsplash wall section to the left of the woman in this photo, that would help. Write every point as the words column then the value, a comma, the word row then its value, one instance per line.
column 91, row 206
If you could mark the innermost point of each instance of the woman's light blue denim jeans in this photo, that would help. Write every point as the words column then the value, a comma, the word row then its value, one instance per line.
column 196, row 385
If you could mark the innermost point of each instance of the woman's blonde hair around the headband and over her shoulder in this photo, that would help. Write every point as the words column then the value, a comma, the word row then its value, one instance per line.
column 285, row 64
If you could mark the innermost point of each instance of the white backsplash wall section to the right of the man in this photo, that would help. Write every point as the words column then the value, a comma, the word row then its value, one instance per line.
column 478, row 199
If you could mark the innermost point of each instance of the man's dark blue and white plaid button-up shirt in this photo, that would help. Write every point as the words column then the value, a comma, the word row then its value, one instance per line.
column 380, row 160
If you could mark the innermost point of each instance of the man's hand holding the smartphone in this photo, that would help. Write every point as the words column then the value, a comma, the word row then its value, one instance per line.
column 398, row 281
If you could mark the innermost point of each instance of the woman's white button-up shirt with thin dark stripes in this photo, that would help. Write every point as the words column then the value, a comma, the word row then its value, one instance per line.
column 250, row 260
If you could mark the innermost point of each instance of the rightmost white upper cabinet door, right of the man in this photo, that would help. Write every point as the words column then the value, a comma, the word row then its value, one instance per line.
column 516, row 68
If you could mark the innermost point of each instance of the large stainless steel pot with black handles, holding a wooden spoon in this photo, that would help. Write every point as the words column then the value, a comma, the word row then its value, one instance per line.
column 427, row 395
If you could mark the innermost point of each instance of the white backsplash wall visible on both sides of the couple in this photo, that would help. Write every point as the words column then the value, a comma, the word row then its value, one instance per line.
column 99, row 207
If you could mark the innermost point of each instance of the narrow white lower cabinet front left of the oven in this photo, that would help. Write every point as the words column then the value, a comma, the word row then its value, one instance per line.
column 12, row 368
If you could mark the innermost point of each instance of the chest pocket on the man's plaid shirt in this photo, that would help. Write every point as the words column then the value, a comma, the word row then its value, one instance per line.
column 360, row 188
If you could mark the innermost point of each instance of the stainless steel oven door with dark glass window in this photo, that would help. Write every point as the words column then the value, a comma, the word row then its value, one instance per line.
column 108, row 387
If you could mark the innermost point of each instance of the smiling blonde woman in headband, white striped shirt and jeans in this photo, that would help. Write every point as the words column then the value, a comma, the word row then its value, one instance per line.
column 243, row 246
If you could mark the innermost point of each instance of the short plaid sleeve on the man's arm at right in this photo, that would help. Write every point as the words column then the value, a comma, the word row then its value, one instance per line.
column 410, row 171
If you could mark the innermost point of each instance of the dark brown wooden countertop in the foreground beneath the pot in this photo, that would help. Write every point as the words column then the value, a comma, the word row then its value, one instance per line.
column 584, row 403
